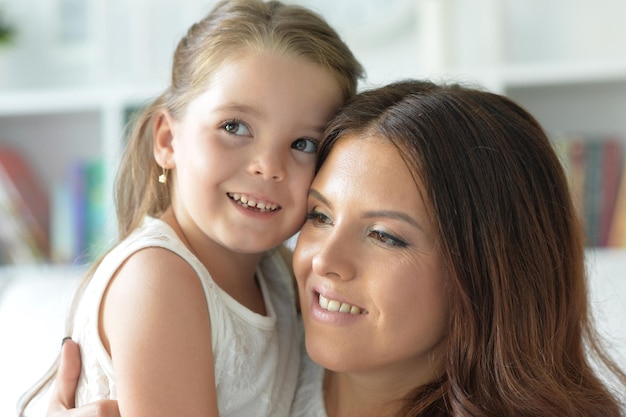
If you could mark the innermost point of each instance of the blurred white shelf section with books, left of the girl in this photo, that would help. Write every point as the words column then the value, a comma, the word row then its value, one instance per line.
column 70, row 141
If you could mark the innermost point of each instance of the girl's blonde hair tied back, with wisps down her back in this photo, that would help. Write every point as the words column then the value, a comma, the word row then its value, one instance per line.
column 231, row 27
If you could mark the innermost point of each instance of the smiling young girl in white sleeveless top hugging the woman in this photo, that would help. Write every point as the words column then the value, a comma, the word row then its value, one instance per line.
column 192, row 312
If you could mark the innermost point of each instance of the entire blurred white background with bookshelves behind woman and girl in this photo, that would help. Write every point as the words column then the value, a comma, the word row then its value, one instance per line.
column 72, row 72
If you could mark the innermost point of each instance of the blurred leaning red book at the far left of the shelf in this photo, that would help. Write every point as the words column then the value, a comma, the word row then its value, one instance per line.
column 24, row 211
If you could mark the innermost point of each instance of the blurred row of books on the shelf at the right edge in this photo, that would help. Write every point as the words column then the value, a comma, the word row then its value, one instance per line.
column 595, row 168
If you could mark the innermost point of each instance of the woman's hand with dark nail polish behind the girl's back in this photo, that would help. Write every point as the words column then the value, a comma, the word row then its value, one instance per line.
column 62, row 395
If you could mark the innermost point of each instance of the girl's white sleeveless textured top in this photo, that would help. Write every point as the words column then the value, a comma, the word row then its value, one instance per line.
column 257, row 357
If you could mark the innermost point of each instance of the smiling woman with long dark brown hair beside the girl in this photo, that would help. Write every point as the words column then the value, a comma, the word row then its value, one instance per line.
column 441, row 268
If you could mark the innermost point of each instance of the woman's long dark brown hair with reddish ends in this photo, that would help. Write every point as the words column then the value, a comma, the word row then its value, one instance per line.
column 520, row 337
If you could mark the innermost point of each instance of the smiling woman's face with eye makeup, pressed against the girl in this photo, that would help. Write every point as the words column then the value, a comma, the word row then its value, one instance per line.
column 369, row 272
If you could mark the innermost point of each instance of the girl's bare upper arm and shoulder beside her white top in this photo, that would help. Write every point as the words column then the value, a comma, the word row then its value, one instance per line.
column 155, row 324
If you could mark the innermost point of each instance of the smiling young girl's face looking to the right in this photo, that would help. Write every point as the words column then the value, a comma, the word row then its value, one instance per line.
column 244, row 152
